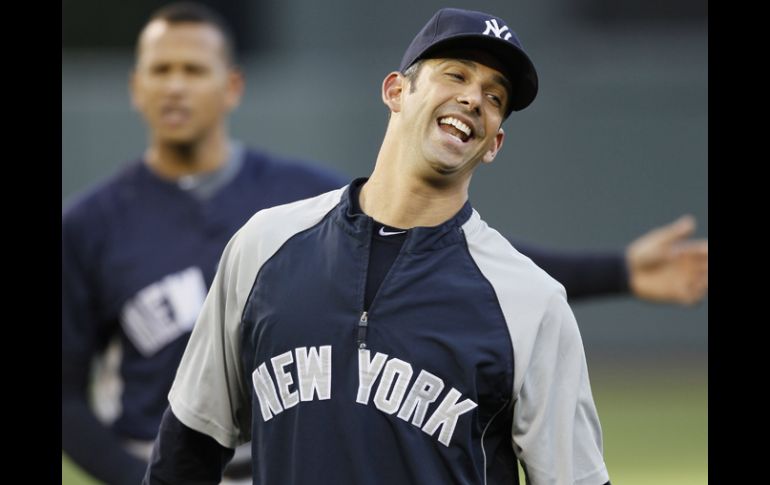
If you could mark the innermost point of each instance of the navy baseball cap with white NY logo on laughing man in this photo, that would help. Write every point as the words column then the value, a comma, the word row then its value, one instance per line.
column 453, row 28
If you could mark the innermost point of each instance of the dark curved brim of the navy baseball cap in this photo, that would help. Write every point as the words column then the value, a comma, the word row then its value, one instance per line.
column 515, row 64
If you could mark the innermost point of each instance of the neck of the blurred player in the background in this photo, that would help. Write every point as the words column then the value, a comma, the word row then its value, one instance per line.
column 174, row 160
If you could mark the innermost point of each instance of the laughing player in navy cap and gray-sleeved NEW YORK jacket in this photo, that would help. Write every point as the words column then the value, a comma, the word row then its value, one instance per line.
column 382, row 333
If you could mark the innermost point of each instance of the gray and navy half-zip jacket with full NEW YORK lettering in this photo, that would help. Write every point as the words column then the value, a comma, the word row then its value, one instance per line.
column 468, row 358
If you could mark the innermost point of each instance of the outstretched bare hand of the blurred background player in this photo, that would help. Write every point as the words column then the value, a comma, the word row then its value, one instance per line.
column 666, row 267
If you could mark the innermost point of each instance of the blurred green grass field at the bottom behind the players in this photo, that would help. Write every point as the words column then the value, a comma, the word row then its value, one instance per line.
column 655, row 424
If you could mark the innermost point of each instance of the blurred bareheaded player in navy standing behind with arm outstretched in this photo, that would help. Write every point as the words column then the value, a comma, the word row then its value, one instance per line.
column 139, row 250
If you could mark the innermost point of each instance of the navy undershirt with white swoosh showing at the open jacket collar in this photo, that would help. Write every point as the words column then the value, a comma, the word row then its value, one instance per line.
column 385, row 246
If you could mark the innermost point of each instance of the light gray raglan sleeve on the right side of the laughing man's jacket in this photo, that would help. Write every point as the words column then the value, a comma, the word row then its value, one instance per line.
column 555, row 432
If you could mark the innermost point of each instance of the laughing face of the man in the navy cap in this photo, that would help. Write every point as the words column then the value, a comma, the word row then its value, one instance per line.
column 456, row 109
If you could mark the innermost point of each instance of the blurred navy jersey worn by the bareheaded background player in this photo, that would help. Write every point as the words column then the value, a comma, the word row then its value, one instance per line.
column 138, row 255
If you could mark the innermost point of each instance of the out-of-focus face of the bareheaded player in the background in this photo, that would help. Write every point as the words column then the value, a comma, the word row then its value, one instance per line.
column 183, row 84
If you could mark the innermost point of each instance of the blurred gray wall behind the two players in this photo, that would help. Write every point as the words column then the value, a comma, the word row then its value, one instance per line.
column 614, row 144
